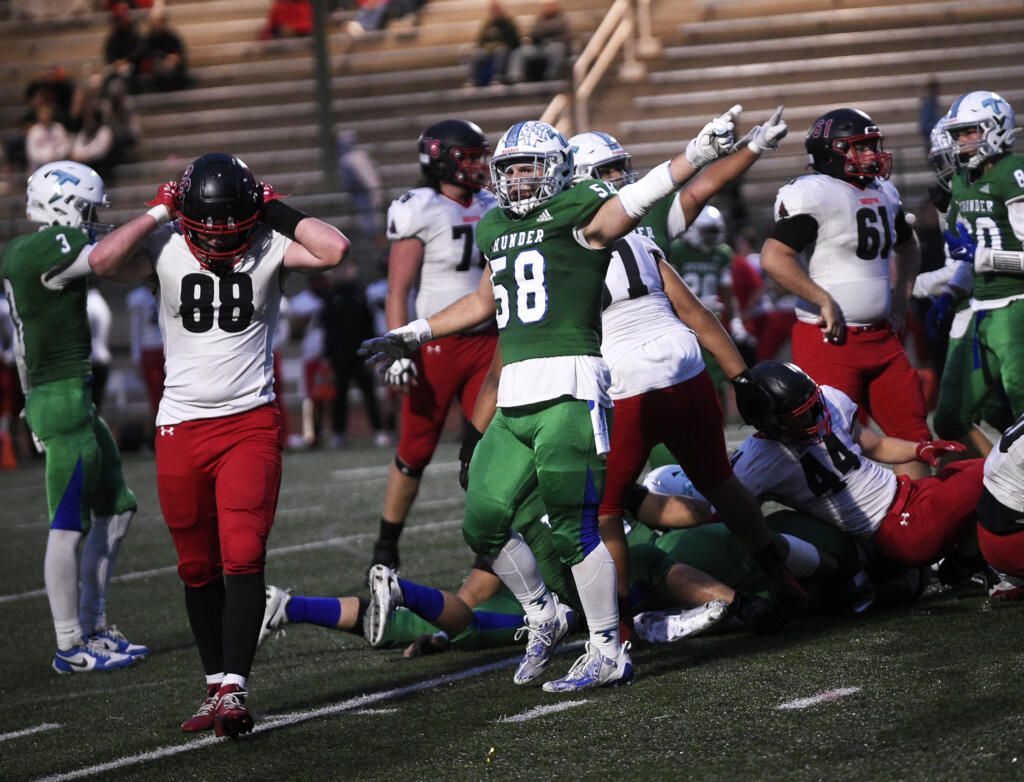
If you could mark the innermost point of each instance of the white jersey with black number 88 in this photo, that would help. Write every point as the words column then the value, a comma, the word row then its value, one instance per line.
column 219, row 331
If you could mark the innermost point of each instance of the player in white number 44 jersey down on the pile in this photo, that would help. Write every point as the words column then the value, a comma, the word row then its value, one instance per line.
column 813, row 455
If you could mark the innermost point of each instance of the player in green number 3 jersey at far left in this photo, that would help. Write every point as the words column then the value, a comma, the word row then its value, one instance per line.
column 45, row 279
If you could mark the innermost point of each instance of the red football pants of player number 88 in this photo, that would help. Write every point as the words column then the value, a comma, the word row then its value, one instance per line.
column 219, row 482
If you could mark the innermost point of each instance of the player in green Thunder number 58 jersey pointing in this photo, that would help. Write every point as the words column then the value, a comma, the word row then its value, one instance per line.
column 549, row 247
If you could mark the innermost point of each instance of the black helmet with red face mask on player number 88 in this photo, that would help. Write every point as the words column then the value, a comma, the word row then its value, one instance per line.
column 221, row 203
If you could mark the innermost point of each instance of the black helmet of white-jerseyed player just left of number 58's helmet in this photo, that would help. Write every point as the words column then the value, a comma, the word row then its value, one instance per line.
column 455, row 152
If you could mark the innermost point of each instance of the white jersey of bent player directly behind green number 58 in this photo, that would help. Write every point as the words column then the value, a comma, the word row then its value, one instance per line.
column 645, row 344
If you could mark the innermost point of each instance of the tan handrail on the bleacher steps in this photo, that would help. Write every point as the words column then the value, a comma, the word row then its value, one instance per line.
column 570, row 112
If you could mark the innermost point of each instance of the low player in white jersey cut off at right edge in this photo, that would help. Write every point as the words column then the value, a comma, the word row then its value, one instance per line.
column 1001, row 514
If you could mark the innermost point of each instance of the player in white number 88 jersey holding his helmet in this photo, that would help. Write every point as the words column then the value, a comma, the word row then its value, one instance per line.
column 220, row 243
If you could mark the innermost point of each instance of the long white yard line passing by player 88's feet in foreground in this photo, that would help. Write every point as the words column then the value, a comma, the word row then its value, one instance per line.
column 270, row 723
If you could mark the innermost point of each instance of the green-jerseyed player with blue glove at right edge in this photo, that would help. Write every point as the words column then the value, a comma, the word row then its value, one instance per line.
column 987, row 228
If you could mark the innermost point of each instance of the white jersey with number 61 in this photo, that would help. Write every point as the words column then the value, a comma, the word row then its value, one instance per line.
column 857, row 235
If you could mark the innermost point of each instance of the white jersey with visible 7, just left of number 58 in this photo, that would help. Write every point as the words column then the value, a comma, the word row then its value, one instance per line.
column 452, row 263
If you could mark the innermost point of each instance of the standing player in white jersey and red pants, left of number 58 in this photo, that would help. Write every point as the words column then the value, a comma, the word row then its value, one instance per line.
column 433, row 230
